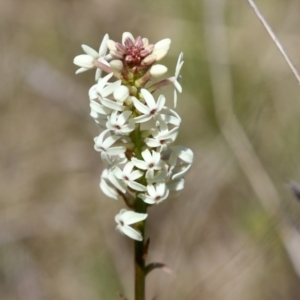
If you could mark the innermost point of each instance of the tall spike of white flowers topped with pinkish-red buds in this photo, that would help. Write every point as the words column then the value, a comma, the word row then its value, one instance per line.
column 144, row 168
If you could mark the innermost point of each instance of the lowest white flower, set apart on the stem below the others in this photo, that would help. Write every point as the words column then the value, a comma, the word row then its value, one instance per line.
column 126, row 218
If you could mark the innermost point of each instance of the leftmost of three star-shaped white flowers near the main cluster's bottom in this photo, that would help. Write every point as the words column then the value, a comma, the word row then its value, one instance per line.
column 128, row 177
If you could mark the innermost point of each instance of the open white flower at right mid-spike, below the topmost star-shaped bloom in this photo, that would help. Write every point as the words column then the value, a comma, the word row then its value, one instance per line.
column 163, row 137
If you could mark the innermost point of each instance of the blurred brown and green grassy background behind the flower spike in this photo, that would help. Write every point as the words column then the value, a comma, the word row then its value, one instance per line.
column 231, row 234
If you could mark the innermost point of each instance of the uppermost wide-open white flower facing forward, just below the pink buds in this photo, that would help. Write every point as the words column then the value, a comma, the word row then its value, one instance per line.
column 151, row 109
